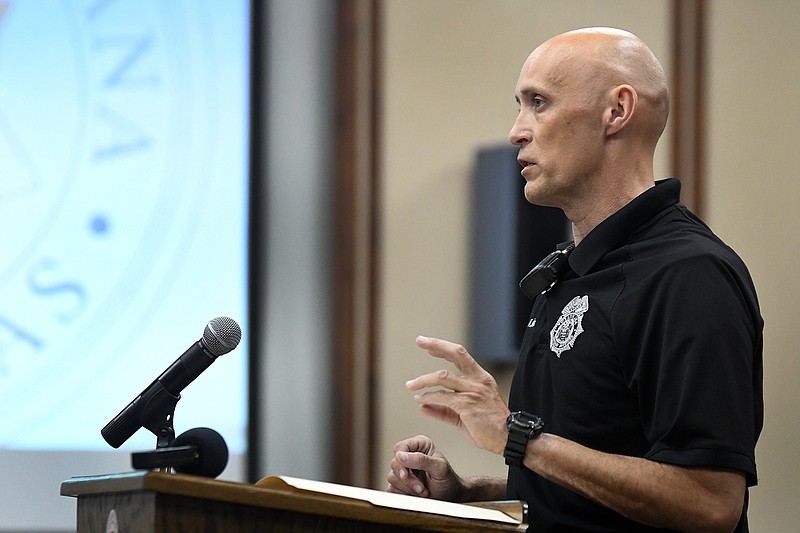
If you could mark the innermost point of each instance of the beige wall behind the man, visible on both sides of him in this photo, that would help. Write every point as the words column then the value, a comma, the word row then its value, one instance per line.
column 450, row 69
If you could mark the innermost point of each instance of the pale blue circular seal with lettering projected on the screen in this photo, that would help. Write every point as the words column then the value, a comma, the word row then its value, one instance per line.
column 98, row 154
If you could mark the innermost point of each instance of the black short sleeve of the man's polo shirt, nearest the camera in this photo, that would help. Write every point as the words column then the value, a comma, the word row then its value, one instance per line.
column 692, row 355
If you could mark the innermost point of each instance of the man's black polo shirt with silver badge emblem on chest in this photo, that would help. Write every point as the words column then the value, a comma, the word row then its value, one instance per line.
column 649, row 346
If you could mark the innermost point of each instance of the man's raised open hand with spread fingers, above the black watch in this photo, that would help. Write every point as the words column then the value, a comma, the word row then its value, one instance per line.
column 469, row 400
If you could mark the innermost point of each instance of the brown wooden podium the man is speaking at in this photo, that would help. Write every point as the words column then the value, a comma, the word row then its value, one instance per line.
column 165, row 503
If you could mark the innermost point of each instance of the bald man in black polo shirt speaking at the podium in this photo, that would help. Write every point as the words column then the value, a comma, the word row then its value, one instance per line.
column 643, row 361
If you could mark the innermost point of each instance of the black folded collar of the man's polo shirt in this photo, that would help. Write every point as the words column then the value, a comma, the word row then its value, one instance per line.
column 616, row 228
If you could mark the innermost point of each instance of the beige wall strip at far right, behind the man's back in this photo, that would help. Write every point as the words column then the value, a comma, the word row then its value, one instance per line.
column 754, row 204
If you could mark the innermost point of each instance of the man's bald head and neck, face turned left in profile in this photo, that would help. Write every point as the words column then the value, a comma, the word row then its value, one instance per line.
column 592, row 106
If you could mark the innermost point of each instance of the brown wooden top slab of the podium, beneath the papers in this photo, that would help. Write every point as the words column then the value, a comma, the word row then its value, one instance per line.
column 286, row 498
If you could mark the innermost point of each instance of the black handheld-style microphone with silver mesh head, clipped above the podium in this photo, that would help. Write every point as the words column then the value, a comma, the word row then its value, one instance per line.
column 157, row 401
